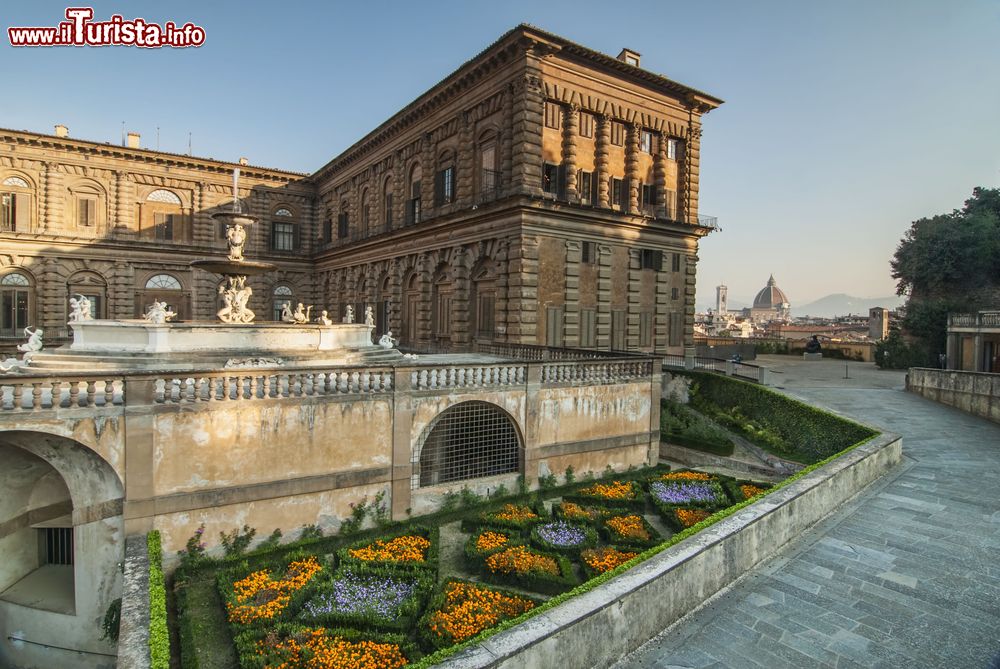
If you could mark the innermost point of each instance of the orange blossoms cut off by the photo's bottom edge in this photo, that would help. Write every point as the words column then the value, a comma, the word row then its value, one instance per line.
column 314, row 649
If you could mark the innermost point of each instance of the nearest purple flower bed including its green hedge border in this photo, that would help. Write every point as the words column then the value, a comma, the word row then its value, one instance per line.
column 362, row 596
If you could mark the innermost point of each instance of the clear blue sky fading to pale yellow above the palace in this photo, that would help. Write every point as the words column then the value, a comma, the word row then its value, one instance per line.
column 843, row 120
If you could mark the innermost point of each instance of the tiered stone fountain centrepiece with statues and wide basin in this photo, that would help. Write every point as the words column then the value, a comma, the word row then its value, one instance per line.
column 235, row 268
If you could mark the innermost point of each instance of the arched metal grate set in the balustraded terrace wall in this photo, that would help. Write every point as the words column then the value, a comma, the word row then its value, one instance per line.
column 469, row 440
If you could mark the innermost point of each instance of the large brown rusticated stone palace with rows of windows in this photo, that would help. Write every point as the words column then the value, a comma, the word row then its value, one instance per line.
column 542, row 193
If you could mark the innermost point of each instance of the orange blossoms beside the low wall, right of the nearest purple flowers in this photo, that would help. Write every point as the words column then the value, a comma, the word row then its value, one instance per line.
column 469, row 609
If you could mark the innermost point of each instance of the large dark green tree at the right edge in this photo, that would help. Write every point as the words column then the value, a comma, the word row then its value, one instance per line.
column 948, row 263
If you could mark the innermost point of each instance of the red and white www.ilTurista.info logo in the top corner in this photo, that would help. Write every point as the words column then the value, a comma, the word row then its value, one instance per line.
column 80, row 30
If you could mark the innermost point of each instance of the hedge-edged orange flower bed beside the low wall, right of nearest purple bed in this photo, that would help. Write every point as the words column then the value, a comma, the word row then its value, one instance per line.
column 463, row 609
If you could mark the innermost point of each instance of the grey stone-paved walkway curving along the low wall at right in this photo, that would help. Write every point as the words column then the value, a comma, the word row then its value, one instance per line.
column 905, row 575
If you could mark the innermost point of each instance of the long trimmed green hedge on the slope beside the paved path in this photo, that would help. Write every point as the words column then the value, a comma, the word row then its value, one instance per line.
column 807, row 433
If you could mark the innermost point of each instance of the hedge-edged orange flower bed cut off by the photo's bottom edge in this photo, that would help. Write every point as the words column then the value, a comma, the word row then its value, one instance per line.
column 289, row 646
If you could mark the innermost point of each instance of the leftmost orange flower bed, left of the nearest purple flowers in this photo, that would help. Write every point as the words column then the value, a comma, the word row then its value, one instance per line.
column 262, row 596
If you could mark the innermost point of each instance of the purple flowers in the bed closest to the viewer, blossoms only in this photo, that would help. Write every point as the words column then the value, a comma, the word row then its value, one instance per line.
column 377, row 595
